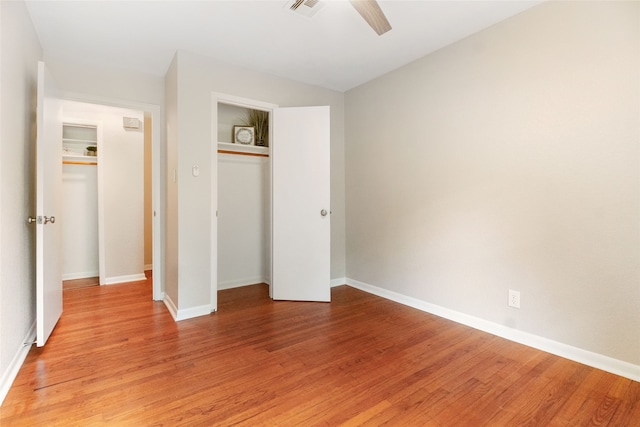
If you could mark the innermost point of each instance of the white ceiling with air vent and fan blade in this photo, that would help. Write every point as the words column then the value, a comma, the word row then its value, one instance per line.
column 335, row 49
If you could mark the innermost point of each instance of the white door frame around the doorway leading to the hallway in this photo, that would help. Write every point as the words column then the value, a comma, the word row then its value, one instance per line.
column 156, row 178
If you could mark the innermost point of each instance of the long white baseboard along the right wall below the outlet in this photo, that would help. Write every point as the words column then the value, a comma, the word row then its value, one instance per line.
column 599, row 361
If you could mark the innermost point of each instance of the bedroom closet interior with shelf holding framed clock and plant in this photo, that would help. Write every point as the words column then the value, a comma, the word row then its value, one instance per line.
column 243, row 195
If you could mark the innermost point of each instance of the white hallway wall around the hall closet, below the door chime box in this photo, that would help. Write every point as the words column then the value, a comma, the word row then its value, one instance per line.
column 121, row 164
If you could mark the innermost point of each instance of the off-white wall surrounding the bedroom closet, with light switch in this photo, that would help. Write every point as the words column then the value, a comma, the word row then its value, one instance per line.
column 197, row 77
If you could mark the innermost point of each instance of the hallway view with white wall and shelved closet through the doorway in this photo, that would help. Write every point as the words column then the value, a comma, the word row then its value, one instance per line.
column 103, row 186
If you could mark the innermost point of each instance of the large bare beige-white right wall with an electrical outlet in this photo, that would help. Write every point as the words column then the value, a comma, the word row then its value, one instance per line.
column 509, row 160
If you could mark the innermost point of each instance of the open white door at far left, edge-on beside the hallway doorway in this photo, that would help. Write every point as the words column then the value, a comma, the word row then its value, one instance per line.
column 48, row 182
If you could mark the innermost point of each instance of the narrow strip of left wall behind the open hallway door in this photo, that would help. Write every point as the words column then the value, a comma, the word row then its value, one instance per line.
column 20, row 51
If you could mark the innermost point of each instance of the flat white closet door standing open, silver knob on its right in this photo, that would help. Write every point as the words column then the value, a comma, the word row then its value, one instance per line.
column 301, row 241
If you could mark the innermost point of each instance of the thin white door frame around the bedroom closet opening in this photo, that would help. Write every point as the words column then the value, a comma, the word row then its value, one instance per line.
column 237, row 101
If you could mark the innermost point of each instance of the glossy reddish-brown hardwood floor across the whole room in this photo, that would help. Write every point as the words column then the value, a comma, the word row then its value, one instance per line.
column 118, row 358
